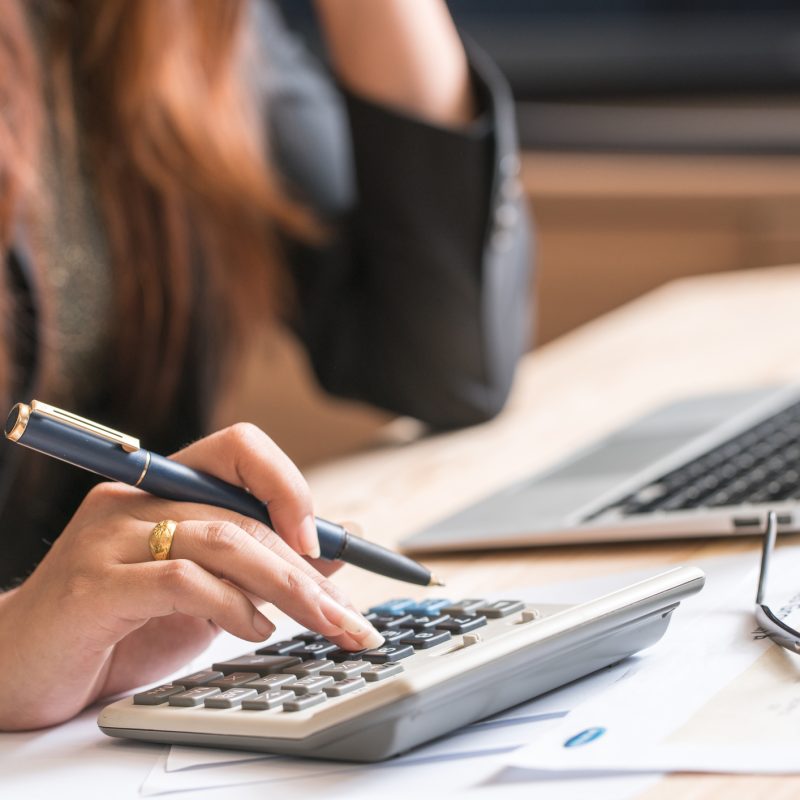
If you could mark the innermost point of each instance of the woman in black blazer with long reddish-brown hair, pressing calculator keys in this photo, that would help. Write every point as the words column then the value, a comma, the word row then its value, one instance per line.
column 171, row 171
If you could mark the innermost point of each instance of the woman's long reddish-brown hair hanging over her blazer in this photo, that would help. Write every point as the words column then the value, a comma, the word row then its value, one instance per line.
column 178, row 161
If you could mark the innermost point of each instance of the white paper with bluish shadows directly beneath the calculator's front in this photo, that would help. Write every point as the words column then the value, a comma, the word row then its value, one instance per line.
column 469, row 760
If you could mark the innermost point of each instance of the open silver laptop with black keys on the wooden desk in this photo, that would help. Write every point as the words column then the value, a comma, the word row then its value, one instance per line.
column 711, row 465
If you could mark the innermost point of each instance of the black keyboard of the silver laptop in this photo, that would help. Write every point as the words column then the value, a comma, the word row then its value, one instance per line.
column 759, row 465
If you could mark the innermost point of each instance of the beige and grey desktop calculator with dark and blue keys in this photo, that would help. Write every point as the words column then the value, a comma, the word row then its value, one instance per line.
column 444, row 664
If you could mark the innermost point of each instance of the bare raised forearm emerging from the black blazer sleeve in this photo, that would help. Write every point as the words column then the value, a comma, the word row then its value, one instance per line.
column 403, row 54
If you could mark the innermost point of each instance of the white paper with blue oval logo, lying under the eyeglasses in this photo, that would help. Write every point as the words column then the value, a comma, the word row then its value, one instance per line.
column 713, row 696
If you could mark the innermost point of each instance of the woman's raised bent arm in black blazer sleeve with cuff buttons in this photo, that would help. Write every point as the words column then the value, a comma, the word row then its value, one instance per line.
column 420, row 301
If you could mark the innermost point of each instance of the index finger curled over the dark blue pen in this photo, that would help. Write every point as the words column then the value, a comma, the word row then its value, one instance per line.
column 244, row 455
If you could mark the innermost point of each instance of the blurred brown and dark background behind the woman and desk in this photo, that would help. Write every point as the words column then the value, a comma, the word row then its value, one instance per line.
column 661, row 138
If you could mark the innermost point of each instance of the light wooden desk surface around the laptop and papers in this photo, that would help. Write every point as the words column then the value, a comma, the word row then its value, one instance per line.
column 695, row 335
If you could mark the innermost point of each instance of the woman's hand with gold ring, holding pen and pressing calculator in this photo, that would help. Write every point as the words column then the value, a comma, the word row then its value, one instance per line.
column 99, row 616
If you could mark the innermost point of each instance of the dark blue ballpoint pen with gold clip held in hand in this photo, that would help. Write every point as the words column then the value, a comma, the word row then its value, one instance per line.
column 120, row 457
